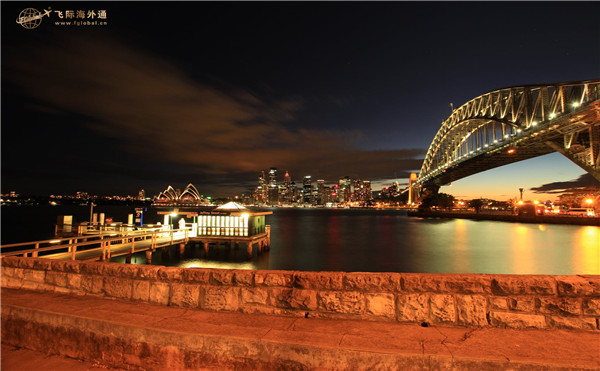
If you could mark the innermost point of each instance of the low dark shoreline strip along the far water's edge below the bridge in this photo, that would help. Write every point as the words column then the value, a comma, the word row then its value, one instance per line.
column 558, row 219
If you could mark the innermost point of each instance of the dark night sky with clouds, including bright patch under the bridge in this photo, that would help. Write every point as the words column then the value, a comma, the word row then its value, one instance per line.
column 213, row 93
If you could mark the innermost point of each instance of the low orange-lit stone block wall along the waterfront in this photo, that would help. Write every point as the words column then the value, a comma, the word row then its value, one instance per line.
column 472, row 300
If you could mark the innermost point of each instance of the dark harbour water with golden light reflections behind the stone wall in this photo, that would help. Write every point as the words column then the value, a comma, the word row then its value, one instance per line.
column 361, row 240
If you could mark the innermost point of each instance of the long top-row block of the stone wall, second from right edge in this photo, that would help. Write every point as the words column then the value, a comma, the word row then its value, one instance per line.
column 523, row 285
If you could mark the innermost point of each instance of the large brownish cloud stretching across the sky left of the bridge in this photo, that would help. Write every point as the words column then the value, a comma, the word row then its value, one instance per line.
column 154, row 111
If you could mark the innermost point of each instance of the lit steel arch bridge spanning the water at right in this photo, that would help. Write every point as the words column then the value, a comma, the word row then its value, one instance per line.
column 514, row 124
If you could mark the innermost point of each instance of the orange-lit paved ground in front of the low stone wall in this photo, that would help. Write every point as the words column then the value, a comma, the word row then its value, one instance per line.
column 305, row 342
